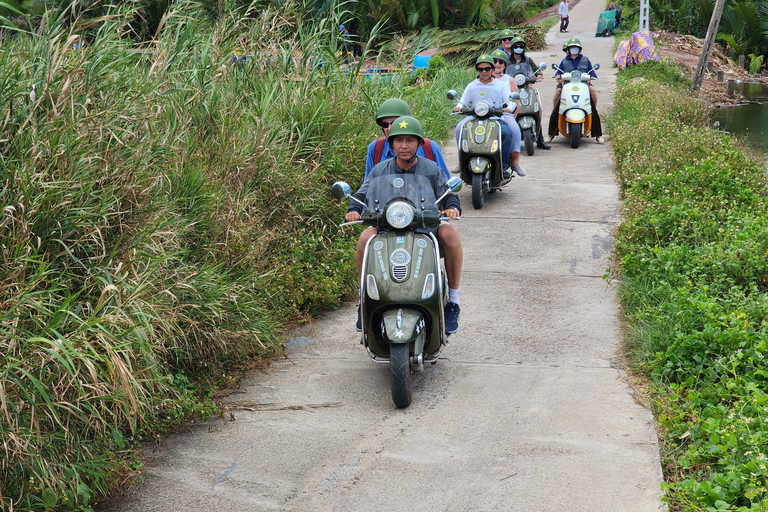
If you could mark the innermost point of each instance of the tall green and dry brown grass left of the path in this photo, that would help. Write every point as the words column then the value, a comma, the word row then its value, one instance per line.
column 164, row 214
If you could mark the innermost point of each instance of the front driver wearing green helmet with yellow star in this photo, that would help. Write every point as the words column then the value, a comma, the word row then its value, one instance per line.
column 406, row 137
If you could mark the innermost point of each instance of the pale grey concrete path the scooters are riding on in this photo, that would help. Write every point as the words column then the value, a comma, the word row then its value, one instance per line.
column 528, row 410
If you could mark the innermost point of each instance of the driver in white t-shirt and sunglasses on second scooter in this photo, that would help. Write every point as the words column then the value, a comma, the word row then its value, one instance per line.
column 487, row 89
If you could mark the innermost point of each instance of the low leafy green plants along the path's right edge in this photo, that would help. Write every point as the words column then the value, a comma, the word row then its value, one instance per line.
column 691, row 258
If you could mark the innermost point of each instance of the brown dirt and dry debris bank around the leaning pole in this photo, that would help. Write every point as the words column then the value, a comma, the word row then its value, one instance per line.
column 685, row 50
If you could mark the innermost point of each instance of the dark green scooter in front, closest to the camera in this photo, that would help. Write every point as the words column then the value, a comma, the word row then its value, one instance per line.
column 403, row 287
